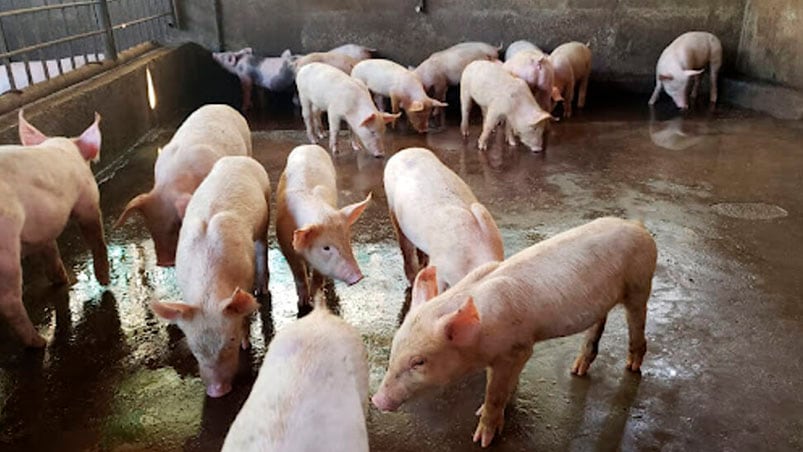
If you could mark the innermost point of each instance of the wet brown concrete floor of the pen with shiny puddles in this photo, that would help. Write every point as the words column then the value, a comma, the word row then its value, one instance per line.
column 720, row 192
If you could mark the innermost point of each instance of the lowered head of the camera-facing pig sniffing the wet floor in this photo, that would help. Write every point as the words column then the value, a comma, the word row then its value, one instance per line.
column 214, row 333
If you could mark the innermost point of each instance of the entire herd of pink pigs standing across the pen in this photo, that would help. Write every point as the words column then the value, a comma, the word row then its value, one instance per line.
column 209, row 214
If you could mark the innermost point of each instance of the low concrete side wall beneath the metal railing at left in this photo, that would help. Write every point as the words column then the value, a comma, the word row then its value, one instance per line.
column 184, row 78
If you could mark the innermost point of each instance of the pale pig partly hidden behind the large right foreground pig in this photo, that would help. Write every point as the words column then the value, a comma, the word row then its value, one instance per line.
column 436, row 215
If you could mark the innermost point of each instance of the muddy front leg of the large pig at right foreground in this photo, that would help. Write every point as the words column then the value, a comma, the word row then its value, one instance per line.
column 502, row 376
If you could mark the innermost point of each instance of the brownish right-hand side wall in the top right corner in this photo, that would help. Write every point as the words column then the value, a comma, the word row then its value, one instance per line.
column 771, row 46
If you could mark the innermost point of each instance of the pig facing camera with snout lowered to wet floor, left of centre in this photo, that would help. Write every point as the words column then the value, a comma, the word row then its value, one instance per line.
column 221, row 248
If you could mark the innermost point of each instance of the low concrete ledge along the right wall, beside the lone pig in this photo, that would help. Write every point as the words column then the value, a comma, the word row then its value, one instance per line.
column 777, row 101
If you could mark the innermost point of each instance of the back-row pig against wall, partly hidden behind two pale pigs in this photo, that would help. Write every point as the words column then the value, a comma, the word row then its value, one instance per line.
column 444, row 68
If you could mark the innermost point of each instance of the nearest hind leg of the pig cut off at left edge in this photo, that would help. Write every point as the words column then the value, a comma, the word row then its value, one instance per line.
column 11, row 306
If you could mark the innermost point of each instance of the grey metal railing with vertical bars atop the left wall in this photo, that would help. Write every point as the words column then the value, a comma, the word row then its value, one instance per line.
column 43, row 39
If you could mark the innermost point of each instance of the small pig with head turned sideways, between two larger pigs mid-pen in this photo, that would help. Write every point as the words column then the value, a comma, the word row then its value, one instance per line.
column 313, row 234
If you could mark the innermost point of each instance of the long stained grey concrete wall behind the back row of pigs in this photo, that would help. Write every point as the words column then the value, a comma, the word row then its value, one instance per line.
column 627, row 36
